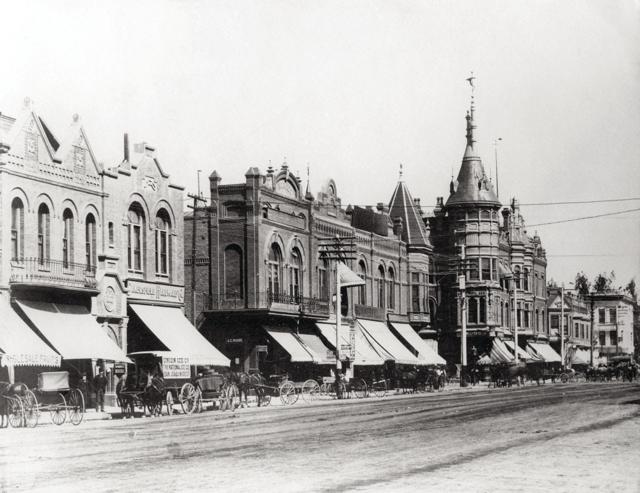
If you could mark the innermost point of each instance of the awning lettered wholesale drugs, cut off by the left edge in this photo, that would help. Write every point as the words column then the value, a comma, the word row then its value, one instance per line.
column 19, row 345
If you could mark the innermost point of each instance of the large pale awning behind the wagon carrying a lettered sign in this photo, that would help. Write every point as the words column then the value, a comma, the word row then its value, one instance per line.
column 178, row 335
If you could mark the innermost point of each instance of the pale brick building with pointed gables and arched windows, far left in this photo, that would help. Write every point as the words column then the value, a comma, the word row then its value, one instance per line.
column 80, row 245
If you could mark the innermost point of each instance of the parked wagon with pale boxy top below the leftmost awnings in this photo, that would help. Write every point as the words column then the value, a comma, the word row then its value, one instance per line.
column 54, row 396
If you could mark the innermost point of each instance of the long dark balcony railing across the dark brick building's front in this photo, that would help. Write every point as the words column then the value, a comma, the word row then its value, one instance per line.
column 280, row 302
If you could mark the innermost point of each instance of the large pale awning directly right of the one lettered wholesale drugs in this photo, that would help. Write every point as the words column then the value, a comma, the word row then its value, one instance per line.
column 72, row 331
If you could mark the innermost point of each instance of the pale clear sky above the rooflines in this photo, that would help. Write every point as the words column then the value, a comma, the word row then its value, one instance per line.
column 351, row 89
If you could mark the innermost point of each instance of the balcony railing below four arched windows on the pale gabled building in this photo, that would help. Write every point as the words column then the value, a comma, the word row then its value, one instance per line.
column 53, row 273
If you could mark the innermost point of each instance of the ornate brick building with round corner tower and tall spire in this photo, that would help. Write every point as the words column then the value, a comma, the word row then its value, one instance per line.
column 504, row 267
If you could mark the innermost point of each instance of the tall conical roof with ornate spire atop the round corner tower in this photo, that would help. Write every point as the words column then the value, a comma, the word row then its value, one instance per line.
column 472, row 186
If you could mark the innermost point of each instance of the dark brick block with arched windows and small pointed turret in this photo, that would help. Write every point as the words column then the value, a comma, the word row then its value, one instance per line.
column 261, row 271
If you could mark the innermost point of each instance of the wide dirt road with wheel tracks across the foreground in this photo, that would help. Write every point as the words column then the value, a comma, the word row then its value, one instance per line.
column 555, row 437
